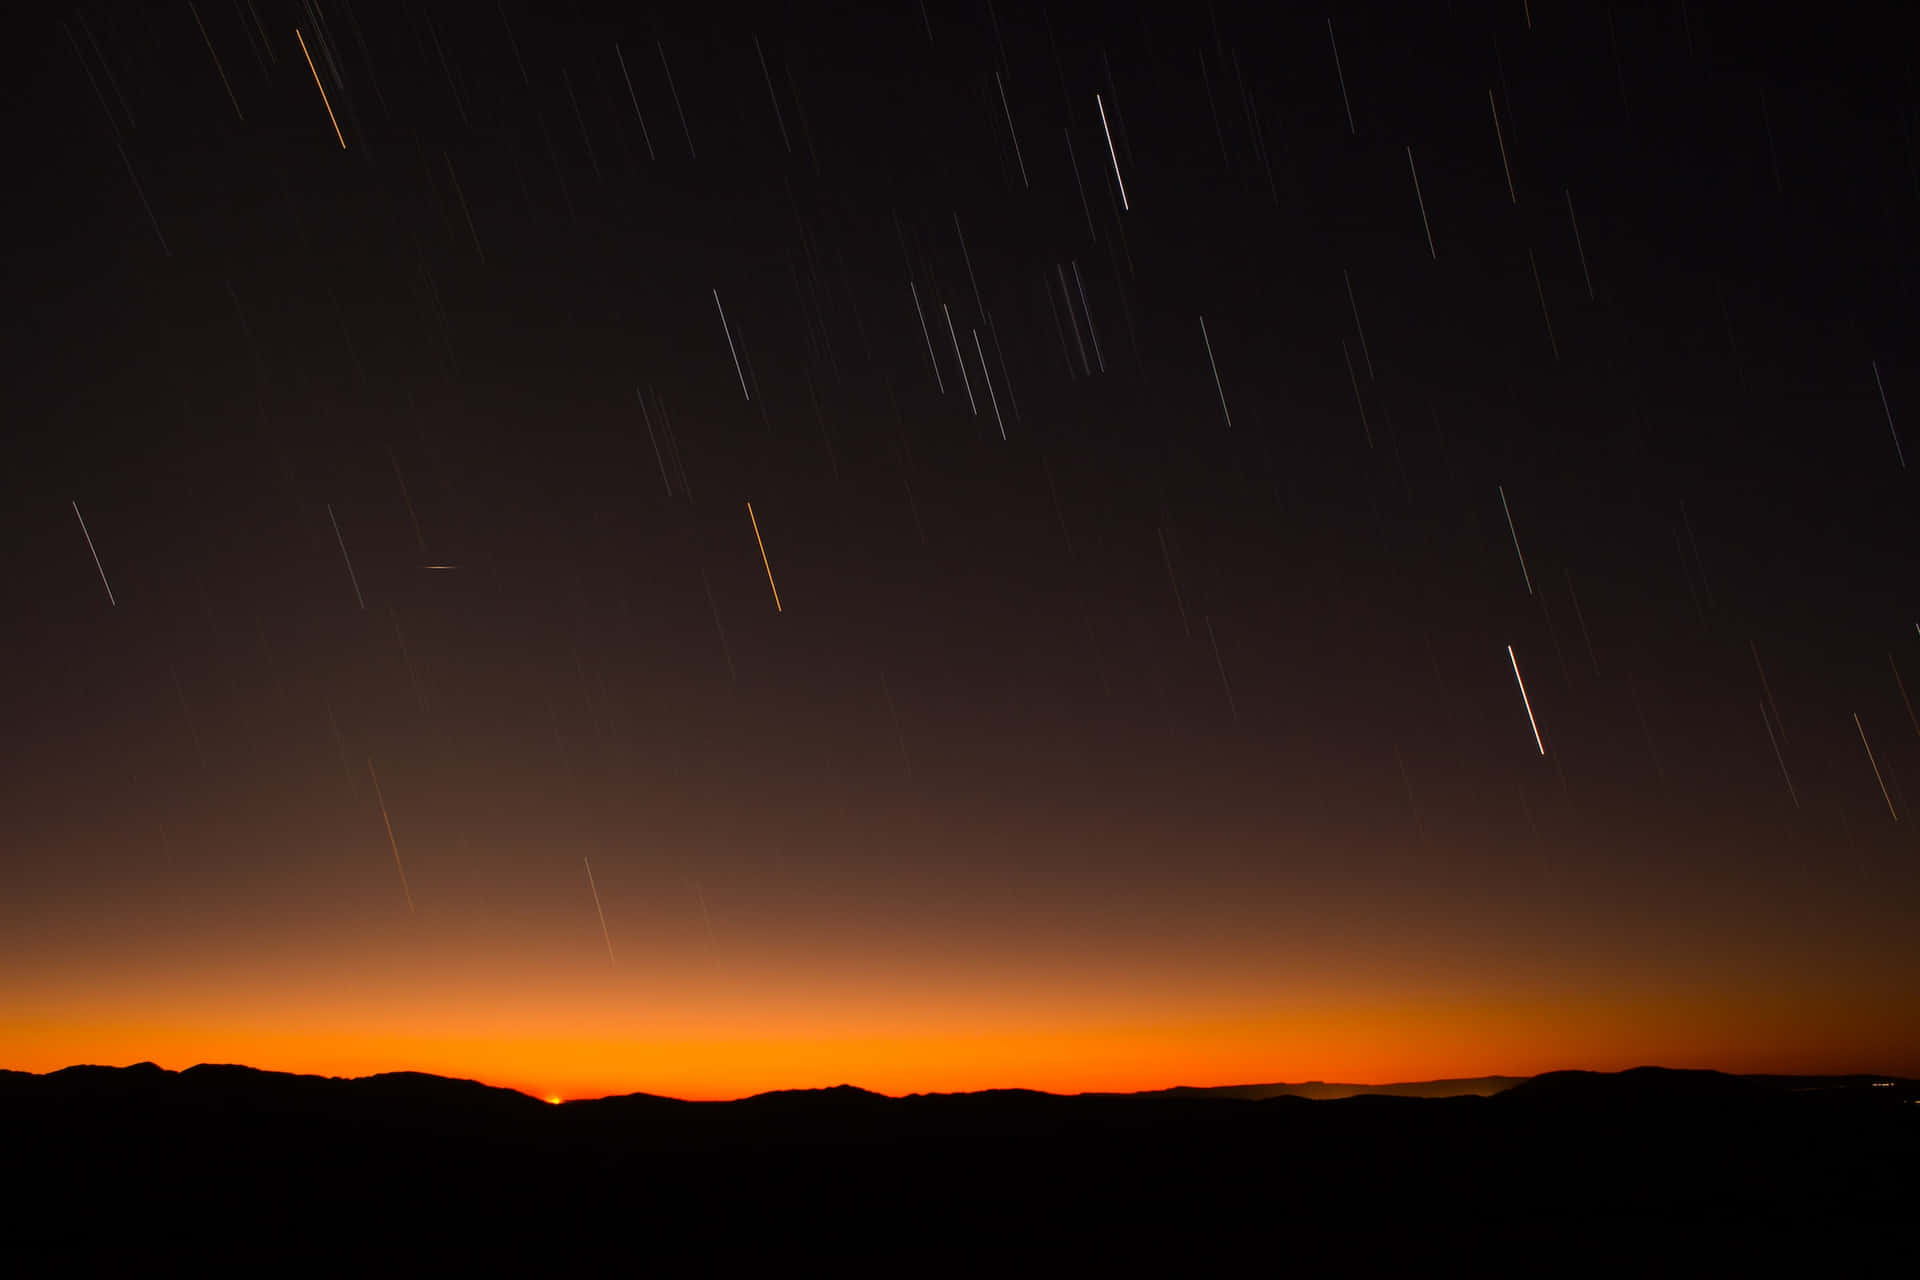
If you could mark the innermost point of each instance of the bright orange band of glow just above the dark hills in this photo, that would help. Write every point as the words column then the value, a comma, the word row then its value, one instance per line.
column 1383, row 1043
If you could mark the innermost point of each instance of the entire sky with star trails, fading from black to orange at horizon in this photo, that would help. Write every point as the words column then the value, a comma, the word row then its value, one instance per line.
column 1159, row 425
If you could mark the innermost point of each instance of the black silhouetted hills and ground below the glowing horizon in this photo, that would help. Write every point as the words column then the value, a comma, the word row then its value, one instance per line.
column 406, row 1170
